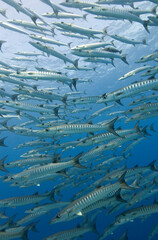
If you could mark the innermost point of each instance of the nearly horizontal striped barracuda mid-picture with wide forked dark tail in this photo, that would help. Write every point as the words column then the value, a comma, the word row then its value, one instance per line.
column 78, row 128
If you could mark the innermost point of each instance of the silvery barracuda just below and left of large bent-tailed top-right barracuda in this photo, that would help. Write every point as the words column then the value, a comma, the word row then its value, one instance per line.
column 77, row 29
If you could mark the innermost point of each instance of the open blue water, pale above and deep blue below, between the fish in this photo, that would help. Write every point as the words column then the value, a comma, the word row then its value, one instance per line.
column 105, row 79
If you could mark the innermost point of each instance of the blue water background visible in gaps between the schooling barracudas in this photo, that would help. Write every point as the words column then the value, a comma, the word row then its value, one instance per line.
column 103, row 80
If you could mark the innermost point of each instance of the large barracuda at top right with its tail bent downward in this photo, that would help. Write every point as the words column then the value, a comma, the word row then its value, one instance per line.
column 118, row 13
